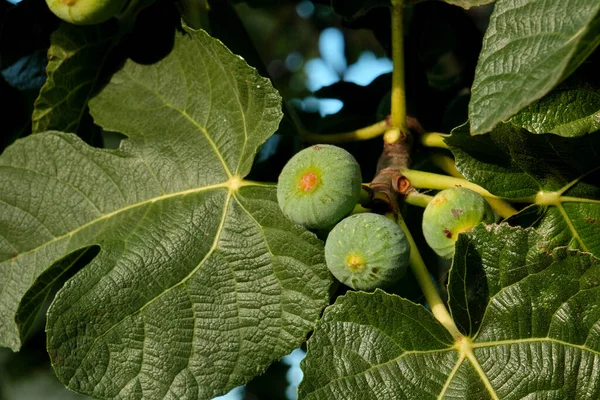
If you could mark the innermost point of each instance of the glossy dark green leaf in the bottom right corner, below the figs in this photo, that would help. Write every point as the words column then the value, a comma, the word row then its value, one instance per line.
column 535, row 336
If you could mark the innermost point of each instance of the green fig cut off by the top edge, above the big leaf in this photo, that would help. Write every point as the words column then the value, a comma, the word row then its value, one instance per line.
column 86, row 12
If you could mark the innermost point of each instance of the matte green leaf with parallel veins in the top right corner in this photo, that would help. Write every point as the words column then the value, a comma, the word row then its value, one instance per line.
column 529, row 47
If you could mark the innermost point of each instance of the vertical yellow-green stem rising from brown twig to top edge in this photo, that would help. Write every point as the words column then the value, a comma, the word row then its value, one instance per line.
column 398, row 92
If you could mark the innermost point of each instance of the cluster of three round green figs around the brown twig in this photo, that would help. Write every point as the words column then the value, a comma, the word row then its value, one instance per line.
column 319, row 188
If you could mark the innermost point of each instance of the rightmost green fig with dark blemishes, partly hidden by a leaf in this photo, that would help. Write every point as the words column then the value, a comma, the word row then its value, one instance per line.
column 450, row 212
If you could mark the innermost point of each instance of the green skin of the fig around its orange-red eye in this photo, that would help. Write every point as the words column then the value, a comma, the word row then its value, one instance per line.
column 333, row 198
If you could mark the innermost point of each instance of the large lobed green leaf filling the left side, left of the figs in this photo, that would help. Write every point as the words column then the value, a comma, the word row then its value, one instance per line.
column 200, row 282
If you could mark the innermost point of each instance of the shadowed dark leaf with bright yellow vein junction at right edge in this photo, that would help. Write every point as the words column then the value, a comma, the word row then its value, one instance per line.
column 513, row 163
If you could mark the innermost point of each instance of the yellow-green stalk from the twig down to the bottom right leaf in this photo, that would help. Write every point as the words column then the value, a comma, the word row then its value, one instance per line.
column 431, row 294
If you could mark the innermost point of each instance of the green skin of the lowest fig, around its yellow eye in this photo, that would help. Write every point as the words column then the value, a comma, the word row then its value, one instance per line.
column 379, row 241
